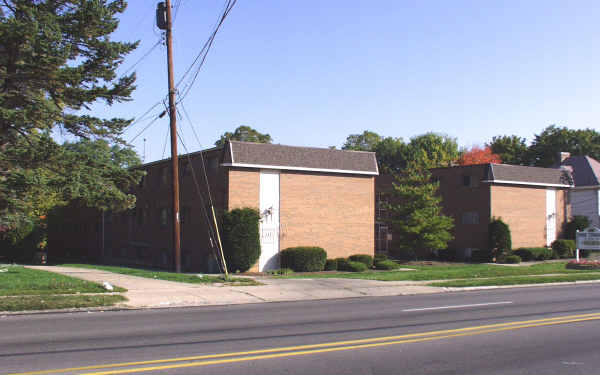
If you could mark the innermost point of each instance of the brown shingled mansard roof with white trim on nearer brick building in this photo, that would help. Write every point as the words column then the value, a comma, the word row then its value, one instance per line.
column 270, row 156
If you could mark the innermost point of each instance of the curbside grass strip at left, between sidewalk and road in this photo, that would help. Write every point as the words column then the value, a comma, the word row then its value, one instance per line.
column 26, row 303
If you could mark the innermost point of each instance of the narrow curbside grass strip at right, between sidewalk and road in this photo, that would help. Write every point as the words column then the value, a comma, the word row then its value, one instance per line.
column 517, row 280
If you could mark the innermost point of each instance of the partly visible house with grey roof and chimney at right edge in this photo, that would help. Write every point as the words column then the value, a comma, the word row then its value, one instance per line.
column 585, row 195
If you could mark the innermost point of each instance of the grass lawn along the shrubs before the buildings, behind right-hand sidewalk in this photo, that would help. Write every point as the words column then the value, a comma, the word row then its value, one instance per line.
column 448, row 272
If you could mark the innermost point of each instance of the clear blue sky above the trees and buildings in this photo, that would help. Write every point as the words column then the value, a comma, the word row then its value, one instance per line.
column 312, row 72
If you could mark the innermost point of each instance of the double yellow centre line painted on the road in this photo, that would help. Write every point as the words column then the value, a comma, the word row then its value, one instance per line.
column 291, row 351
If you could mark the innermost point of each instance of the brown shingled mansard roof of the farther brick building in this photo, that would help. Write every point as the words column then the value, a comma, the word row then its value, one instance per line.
column 522, row 175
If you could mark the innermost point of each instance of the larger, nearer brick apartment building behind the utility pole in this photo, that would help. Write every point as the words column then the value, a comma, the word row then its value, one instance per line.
column 306, row 197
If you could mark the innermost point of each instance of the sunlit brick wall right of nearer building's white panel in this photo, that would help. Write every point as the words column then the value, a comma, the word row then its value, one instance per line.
column 333, row 211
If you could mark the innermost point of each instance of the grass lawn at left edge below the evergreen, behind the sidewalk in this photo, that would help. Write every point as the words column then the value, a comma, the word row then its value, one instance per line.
column 16, row 280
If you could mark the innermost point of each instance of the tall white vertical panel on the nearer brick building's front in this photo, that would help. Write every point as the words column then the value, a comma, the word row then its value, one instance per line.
column 269, row 222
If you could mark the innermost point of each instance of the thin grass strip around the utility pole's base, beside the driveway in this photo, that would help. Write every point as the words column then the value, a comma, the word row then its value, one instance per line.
column 170, row 276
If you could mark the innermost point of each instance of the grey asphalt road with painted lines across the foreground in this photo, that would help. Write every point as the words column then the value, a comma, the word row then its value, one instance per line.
column 542, row 330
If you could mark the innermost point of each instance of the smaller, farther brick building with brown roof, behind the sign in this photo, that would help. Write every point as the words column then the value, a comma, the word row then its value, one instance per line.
column 532, row 201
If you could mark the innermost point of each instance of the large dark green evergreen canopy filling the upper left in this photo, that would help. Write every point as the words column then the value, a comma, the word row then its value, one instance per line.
column 56, row 60
